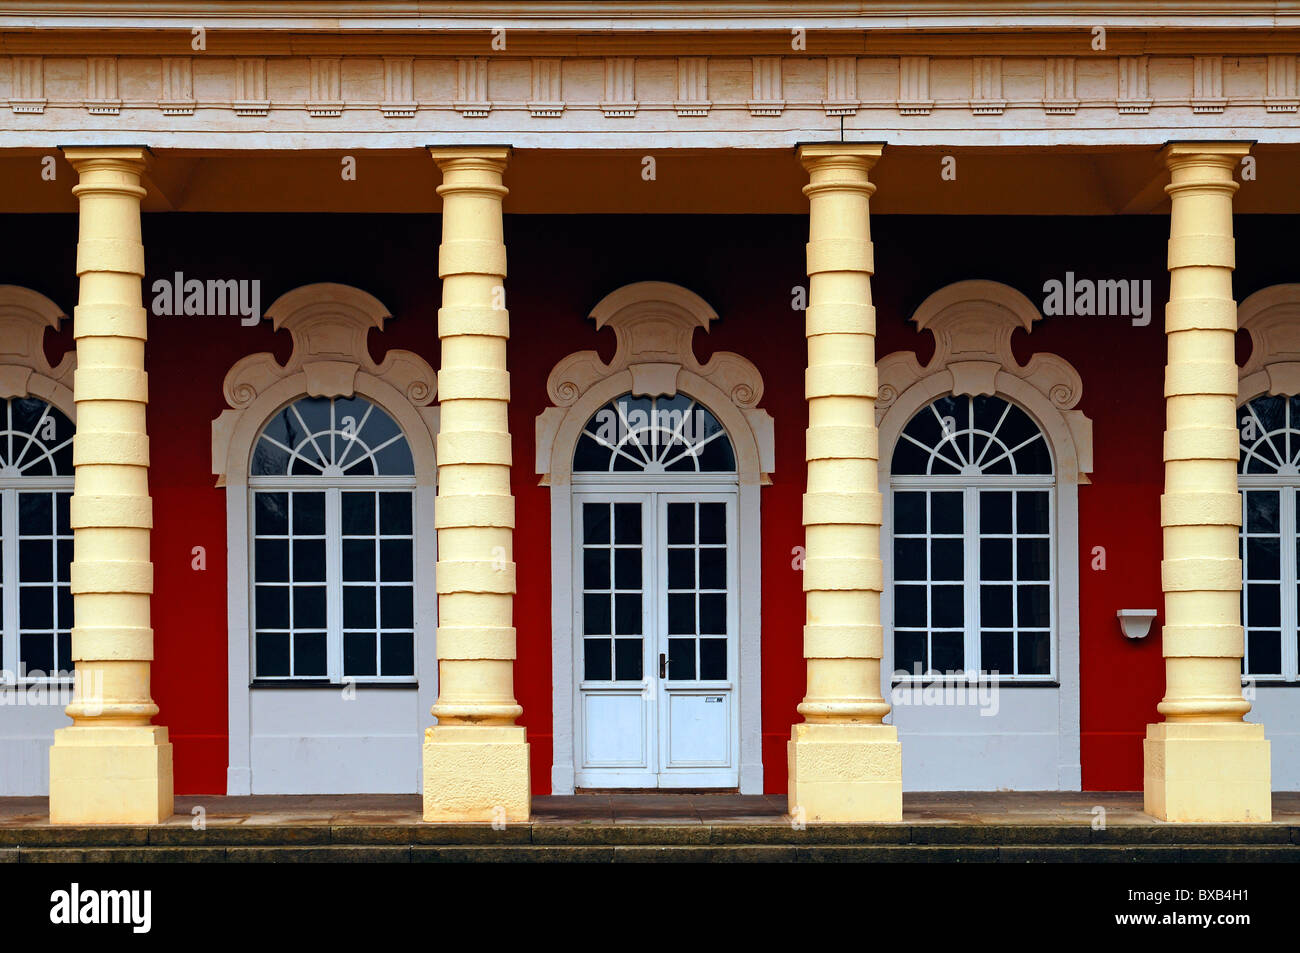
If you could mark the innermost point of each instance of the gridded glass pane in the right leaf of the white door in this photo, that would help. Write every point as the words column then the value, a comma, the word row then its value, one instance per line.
column 697, row 597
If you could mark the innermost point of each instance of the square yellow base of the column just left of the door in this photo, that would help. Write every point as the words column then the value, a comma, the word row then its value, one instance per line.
column 476, row 774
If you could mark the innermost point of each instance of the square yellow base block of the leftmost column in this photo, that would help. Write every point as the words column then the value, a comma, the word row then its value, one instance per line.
column 111, row 776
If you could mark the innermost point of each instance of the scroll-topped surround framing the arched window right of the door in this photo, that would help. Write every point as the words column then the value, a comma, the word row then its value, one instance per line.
column 973, row 323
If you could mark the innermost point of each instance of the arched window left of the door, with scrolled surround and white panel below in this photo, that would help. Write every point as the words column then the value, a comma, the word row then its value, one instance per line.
column 330, row 471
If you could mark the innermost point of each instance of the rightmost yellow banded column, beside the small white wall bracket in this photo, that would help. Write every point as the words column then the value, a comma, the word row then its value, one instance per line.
column 1203, row 763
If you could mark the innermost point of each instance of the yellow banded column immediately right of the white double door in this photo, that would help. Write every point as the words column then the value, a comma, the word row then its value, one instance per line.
column 846, row 765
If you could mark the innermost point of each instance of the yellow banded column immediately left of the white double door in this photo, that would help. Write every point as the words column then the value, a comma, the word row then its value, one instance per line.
column 476, row 757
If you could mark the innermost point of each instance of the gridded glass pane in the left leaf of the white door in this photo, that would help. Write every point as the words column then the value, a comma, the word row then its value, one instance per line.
column 613, row 592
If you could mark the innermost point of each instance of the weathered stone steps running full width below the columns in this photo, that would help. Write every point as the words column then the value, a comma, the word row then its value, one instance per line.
column 649, row 842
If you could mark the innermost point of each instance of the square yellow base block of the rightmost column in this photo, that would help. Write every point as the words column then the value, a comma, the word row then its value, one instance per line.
column 1211, row 774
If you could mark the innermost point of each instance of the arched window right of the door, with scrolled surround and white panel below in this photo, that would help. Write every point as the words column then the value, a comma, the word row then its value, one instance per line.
column 981, row 462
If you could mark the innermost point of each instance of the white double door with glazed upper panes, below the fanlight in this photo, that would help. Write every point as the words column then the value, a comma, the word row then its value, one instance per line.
column 657, row 656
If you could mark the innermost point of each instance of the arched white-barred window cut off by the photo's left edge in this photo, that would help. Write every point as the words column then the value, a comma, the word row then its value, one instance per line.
column 36, row 539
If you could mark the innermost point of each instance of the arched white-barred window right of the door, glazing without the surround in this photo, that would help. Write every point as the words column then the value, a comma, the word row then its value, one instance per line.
column 973, row 492
